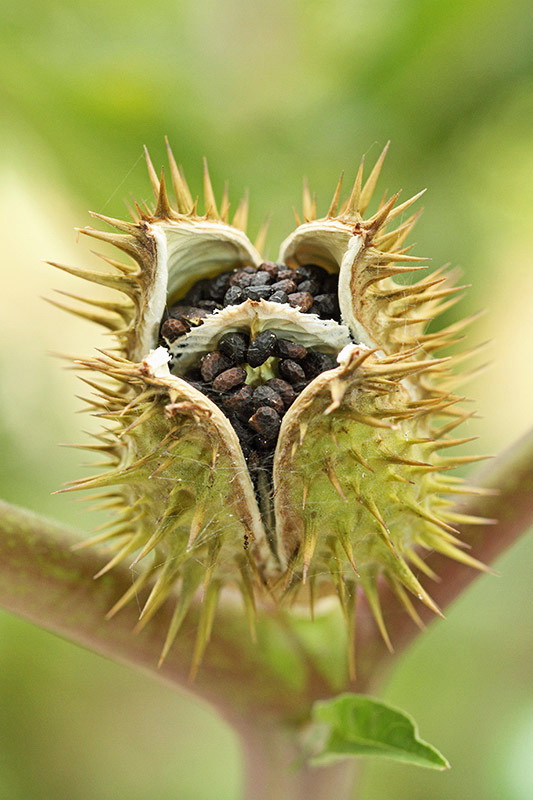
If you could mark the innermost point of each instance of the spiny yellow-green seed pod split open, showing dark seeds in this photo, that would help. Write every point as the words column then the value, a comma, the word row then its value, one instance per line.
column 275, row 427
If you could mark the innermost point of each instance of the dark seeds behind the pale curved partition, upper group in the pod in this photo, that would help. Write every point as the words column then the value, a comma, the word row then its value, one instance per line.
column 309, row 288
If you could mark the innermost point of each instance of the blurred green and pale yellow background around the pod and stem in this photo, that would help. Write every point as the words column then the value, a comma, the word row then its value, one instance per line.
column 269, row 91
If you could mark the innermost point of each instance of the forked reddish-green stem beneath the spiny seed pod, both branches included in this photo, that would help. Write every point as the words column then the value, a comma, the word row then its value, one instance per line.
column 44, row 581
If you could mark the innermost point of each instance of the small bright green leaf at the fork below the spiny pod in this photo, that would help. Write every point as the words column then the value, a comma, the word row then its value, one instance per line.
column 356, row 725
